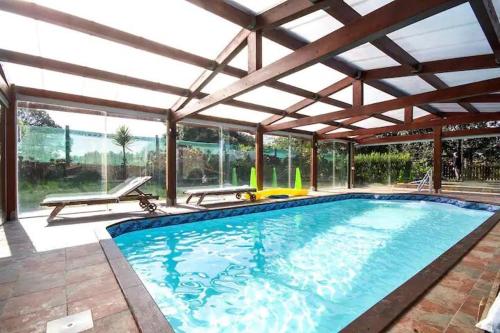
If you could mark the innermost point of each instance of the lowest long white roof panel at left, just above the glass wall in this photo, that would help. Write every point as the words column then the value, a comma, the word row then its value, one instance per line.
column 71, row 84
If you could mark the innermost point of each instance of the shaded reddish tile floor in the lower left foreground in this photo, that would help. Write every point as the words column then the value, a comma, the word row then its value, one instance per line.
column 36, row 287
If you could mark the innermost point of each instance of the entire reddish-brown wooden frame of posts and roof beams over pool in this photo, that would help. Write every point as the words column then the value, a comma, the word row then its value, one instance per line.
column 342, row 123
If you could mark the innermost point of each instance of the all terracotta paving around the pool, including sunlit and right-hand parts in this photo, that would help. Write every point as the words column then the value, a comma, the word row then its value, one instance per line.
column 46, row 273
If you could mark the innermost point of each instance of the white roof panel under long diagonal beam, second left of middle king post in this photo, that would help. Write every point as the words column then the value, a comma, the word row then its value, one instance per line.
column 270, row 97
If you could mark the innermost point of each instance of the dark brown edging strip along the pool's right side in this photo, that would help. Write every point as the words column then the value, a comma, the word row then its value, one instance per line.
column 389, row 309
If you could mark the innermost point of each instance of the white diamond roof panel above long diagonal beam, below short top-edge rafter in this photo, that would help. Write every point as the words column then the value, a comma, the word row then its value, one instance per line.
column 313, row 26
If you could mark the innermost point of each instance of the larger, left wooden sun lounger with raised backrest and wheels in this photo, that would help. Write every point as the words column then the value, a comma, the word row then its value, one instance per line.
column 127, row 191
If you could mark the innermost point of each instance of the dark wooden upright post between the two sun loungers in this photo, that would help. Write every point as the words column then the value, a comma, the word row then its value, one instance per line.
column 171, row 167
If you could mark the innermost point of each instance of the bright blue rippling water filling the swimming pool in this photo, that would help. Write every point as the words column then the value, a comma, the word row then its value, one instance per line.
column 312, row 268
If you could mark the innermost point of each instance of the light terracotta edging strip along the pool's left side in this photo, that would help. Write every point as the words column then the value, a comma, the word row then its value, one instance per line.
column 146, row 313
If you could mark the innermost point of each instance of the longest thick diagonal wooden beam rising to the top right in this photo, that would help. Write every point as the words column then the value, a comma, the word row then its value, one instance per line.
column 390, row 17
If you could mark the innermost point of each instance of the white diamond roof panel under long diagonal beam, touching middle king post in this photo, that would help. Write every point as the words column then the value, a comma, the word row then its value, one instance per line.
column 314, row 78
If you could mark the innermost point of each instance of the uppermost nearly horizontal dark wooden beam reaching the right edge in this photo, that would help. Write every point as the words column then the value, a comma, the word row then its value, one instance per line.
column 439, row 66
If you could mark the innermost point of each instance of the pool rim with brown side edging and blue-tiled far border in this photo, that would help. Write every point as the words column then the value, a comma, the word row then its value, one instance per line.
column 149, row 317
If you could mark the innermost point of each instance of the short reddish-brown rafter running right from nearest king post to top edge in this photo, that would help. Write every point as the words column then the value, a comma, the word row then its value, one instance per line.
column 288, row 11
